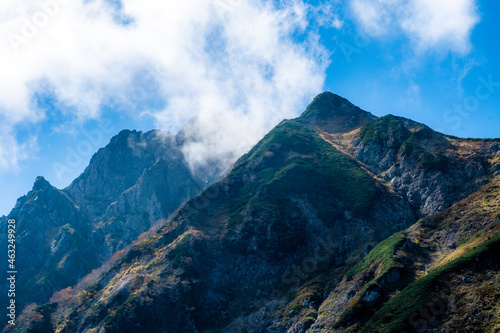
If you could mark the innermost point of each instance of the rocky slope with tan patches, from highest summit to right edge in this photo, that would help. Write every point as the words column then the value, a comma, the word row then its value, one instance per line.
column 430, row 170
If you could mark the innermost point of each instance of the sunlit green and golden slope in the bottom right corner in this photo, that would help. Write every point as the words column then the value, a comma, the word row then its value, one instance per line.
column 442, row 273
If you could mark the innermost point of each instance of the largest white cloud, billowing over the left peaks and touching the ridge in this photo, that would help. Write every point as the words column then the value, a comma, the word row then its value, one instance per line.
column 233, row 63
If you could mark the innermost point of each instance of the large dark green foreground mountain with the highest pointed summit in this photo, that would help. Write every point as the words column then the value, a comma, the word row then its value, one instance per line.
column 337, row 221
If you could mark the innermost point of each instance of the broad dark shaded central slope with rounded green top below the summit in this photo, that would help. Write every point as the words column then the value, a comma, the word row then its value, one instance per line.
column 290, row 197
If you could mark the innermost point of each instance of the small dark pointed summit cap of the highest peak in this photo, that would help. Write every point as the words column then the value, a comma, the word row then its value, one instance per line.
column 334, row 114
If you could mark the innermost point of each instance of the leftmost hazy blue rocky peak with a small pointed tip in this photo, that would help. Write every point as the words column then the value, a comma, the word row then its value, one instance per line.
column 55, row 244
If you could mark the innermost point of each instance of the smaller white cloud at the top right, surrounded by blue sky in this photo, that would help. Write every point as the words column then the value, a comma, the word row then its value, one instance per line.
column 429, row 24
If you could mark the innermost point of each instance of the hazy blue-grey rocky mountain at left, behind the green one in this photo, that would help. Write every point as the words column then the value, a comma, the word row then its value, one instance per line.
column 129, row 187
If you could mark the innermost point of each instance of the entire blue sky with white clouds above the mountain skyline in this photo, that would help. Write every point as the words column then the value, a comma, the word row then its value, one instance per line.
column 73, row 73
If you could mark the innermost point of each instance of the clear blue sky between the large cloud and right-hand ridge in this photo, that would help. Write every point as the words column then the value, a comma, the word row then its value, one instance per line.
column 386, row 75
